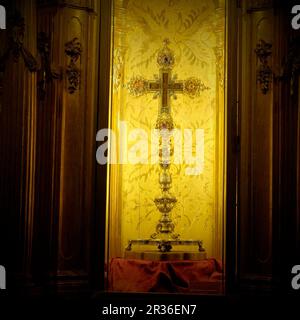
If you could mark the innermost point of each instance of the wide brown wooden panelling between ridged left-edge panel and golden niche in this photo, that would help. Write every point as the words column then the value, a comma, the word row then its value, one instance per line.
column 66, row 157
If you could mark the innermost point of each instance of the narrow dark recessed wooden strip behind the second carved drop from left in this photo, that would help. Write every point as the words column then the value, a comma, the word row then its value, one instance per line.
column 49, row 113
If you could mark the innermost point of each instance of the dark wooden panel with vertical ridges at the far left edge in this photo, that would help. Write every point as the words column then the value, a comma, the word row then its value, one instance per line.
column 17, row 146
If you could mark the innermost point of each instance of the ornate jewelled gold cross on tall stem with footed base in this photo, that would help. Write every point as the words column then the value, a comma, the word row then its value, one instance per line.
column 165, row 86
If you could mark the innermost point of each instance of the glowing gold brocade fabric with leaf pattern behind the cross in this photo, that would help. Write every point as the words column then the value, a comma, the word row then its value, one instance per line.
column 196, row 30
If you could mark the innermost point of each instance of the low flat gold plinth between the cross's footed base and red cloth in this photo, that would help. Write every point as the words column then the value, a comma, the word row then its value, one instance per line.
column 155, row 255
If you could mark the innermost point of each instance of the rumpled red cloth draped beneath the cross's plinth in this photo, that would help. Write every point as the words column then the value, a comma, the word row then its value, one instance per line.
column 129, row 275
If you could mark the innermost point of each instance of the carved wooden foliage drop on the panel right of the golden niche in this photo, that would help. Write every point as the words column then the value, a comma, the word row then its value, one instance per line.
column 264, row 72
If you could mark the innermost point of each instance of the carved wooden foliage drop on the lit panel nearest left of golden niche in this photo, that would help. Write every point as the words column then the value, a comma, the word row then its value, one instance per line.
column 73, row 50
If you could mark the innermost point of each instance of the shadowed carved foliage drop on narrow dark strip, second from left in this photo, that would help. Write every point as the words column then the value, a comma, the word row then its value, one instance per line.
column 46, row 73
